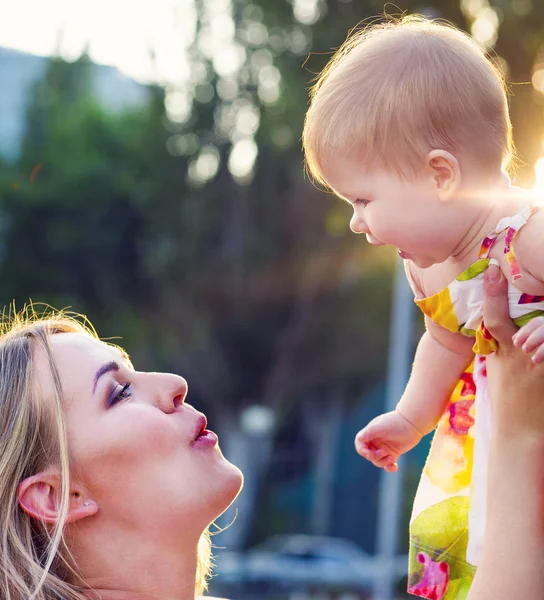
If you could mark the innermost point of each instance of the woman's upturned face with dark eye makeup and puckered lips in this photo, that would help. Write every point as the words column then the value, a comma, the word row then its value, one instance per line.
column 134, row 443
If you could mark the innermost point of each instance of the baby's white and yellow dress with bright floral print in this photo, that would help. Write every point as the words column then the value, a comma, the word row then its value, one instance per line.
column 448, row 517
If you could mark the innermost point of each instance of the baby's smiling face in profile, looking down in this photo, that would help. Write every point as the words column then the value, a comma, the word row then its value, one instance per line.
column 404, row 213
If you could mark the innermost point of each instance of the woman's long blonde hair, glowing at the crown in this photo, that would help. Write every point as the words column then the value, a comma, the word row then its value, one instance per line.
column 35, row 563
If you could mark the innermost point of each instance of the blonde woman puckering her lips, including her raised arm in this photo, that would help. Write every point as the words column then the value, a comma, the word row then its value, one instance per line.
column 146, row 477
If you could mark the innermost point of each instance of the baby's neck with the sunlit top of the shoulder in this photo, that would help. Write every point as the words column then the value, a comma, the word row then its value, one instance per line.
column 491, row 208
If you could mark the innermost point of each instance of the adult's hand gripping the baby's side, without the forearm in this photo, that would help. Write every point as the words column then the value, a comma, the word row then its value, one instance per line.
column 516, row 383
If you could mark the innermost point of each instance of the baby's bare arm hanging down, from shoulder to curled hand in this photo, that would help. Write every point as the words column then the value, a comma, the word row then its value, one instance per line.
column 440, row 360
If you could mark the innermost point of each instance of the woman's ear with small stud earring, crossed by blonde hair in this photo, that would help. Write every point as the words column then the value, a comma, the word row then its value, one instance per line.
column 39, row 497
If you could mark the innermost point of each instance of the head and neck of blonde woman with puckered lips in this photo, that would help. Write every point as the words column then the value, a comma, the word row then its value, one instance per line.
column 108, row 478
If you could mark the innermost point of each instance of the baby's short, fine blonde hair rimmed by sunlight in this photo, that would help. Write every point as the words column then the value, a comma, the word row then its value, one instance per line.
column 397, row 90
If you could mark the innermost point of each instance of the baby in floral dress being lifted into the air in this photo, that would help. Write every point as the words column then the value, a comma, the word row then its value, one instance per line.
column 409, row 124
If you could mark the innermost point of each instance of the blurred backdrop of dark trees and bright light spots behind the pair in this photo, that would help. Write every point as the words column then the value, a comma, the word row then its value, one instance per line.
column 151, row 177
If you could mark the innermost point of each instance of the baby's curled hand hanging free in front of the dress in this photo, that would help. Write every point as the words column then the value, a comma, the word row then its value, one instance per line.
column 385, row 438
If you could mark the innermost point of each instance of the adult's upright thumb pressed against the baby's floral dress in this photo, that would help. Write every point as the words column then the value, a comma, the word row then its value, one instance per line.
column 496, row 315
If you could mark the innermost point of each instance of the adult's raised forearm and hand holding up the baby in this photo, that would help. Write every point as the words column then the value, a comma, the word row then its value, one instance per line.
column 513, row 554
